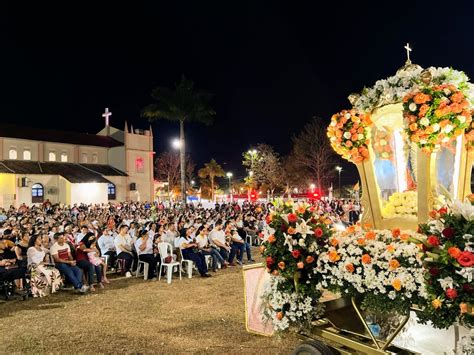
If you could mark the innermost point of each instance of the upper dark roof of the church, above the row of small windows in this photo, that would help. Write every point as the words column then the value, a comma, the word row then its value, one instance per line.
column 51, row 135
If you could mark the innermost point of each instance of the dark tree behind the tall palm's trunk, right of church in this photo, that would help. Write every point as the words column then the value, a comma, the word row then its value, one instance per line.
column 167, row 168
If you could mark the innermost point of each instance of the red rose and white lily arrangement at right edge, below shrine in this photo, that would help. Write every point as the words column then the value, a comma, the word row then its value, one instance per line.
column 449, row 261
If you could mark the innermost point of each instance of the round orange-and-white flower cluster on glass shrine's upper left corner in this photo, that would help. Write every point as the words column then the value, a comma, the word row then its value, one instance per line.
column 349, row 135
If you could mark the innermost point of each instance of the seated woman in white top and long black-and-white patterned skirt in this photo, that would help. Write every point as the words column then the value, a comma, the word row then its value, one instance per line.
column 44, row 278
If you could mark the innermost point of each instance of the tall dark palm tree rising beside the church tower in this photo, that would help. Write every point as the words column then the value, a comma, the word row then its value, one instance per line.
column 183, row 104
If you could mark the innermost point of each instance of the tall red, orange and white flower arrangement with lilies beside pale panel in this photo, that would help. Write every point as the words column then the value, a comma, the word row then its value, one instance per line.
column 291, row 244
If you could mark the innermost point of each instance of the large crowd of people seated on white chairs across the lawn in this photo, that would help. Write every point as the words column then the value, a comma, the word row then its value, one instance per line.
column 44, row 246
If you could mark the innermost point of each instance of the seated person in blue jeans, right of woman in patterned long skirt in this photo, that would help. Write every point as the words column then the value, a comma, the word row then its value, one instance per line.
column 64, row 262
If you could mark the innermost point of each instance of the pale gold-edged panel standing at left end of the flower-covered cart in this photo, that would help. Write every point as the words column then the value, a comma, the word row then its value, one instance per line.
column 255, row 277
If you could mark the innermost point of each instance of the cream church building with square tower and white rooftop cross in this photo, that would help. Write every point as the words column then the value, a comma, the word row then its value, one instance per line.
column 71, row 167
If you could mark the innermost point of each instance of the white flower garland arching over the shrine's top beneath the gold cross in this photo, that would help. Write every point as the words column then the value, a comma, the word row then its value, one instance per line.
column 393, row 89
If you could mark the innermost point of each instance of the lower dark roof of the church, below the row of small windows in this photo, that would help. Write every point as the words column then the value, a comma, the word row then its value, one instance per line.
column 75, row 173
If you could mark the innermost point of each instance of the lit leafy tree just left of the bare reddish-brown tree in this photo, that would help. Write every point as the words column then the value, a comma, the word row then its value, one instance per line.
column 266, row 167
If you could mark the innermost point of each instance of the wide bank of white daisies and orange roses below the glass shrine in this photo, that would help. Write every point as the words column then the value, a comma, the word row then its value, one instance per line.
column 381, row 267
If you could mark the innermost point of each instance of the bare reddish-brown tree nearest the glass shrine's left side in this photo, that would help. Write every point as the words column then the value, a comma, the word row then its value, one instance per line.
column 312, row 156
